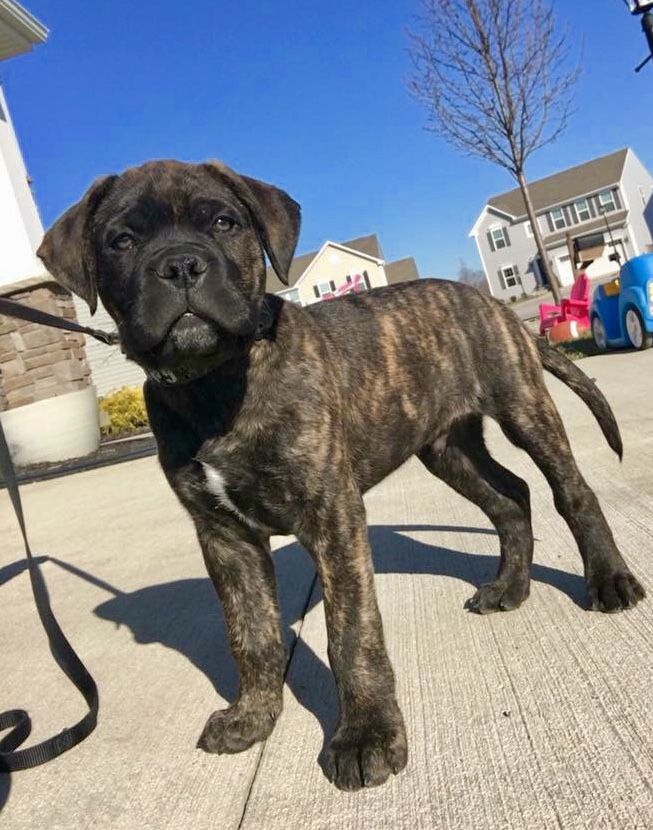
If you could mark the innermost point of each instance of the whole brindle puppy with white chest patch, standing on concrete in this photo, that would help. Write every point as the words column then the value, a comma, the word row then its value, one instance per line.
column 271, row 418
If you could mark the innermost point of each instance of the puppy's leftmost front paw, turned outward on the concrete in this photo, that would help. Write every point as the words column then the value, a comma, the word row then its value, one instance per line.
column 235, row 729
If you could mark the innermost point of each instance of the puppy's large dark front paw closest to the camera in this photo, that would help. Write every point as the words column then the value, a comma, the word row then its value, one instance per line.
column 366, row 754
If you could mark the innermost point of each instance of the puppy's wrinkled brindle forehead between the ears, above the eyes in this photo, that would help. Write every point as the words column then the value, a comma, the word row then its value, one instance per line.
column 164, row 191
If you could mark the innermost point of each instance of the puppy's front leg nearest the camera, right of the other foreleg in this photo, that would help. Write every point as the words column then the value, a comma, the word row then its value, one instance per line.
column 370, row 739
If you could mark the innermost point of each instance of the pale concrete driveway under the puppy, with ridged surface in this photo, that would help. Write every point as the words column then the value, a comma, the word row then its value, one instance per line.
column 538, row 718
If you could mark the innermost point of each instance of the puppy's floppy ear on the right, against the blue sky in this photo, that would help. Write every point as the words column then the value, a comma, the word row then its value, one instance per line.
column 276, row 216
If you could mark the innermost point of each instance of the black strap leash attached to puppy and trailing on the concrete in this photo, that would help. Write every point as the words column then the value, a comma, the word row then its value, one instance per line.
column 18, row 720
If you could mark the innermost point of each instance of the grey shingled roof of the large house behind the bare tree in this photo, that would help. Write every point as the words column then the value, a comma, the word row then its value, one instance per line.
column 564, row 186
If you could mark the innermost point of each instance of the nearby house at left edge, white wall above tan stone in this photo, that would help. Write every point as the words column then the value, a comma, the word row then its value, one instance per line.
column 48, row 406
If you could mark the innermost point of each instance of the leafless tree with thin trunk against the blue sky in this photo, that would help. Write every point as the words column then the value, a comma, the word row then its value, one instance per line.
column 495, row 81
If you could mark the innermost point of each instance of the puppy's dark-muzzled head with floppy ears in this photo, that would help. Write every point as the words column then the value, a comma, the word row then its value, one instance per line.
column 175, row 253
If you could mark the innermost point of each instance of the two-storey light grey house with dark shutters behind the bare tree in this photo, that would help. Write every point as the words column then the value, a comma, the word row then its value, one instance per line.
column 585, row 214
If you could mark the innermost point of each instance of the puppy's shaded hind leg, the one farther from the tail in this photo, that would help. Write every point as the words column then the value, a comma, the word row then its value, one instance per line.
column 463, row 462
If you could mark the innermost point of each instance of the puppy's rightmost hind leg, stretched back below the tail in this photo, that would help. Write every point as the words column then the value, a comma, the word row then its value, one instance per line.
column 535, row 426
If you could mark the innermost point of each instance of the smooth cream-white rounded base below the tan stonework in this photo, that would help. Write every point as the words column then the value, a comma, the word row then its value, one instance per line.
column 55, row 429
